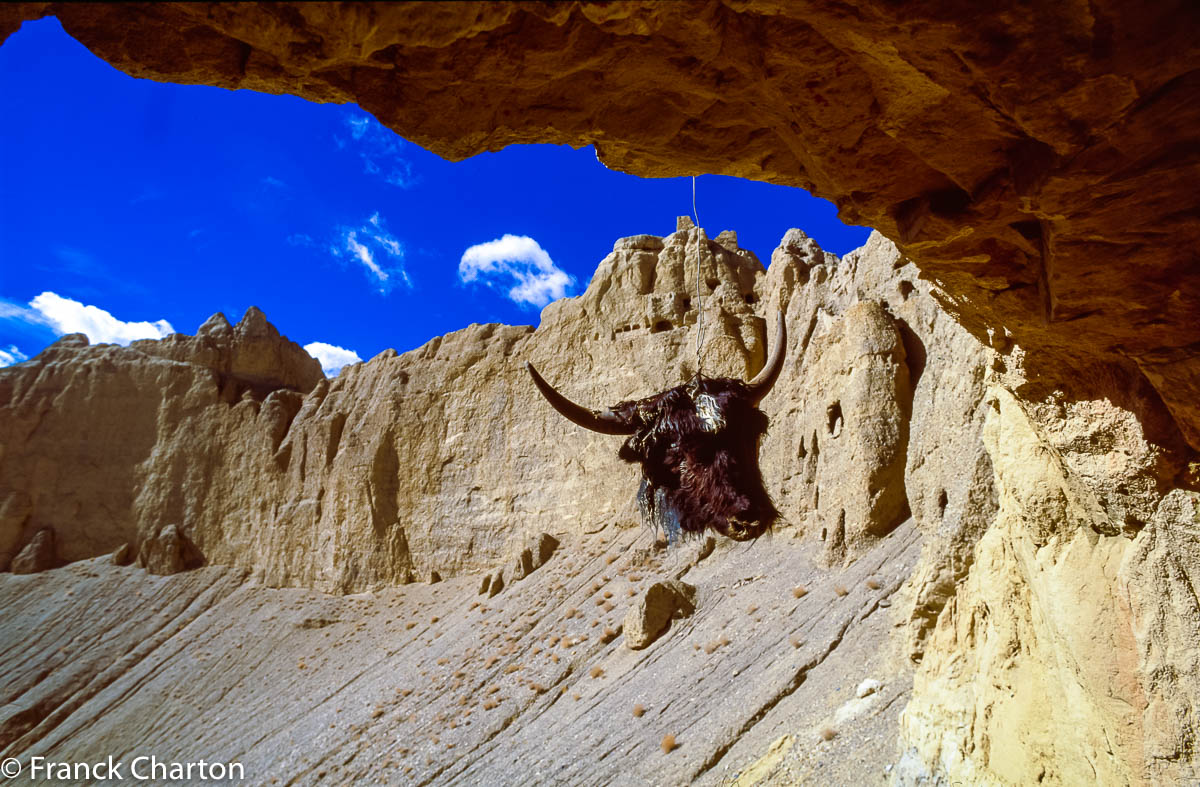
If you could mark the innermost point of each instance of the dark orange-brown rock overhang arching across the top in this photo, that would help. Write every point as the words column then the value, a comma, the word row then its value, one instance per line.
column 1036, row 163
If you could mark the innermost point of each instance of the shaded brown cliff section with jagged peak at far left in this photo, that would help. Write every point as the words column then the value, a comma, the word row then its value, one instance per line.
column 161, row 426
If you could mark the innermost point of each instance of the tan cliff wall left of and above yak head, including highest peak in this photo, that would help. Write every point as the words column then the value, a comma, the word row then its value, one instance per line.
column 399, row 467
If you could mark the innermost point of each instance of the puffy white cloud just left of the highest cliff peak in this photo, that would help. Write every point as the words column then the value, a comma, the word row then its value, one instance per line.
column 517, row 260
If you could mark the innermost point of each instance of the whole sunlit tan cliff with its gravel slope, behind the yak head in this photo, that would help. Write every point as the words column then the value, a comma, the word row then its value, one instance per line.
column 986, row 554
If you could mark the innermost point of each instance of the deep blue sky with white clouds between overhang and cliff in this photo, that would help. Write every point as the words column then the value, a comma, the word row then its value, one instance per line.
column 131, row 208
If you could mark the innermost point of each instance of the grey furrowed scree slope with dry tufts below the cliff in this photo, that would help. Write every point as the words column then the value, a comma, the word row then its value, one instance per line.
column 439, row 683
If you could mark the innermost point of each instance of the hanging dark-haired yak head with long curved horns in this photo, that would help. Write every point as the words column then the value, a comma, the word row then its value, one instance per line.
column 699, row 449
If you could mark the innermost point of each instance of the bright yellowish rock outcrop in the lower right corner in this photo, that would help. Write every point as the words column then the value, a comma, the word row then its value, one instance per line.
column 1048, row 567
